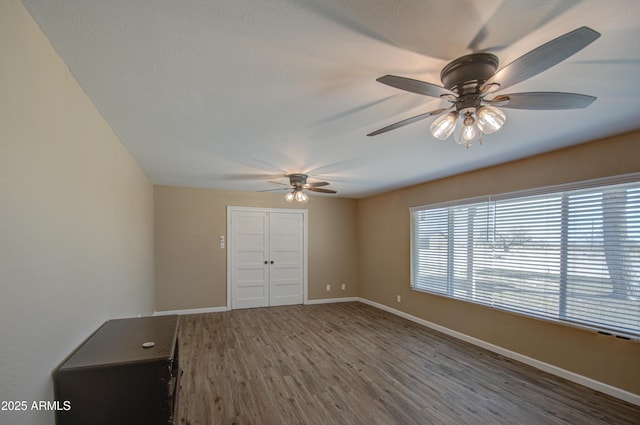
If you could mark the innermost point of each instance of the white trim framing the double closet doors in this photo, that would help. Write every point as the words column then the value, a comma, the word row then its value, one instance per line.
column 305, row 243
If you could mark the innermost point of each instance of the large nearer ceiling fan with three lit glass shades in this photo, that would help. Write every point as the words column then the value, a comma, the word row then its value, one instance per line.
column 468, row 81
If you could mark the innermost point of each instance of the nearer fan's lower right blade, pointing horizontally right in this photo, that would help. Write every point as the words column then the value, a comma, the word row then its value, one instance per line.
column 543, row 100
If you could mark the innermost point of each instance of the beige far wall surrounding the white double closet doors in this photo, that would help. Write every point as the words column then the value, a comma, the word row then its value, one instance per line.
column 191, row 268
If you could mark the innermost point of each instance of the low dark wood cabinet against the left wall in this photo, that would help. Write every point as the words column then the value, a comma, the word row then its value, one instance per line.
column 113, row 379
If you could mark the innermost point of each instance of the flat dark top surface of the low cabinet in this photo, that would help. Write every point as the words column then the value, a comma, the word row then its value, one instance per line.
column 120, row 341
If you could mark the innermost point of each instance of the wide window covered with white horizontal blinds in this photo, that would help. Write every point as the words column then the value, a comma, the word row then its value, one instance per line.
column 569, row 253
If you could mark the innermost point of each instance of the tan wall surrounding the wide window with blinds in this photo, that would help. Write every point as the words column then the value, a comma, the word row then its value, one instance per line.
column 383, row 267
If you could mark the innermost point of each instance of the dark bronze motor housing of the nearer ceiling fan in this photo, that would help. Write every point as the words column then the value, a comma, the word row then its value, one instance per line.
column 466, row 74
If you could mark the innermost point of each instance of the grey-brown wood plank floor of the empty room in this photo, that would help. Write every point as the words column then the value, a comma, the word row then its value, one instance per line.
column 350, row 363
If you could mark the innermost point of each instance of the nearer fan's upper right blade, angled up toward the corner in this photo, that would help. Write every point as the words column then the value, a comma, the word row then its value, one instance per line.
column 543, row 57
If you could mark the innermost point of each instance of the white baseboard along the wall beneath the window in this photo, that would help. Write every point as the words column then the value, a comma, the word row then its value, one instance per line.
column 546, row 367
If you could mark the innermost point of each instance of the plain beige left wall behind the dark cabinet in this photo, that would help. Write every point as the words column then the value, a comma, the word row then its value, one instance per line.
column 76, row 217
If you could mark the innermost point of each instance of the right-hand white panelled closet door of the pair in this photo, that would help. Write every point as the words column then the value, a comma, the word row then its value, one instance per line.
column 286, row 258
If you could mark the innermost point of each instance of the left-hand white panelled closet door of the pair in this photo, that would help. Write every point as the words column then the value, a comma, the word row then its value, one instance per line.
column 250, row 268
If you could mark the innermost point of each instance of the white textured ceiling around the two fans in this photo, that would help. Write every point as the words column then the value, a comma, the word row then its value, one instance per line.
column 230, row 94
